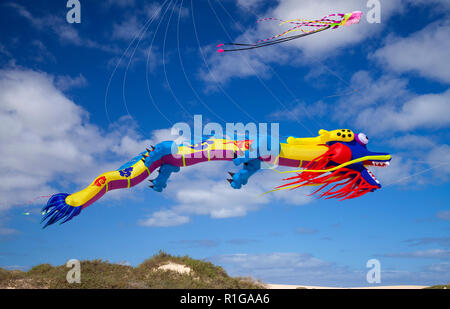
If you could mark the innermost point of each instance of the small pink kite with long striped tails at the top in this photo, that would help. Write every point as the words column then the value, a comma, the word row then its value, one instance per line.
column 306, row 27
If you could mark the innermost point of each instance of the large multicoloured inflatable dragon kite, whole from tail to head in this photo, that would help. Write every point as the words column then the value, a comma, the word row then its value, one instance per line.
column 336, row 158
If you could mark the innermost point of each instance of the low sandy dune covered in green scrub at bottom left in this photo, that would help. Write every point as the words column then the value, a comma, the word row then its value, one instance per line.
column 98, row 274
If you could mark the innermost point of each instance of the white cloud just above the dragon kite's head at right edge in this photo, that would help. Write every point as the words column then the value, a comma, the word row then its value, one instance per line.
column 387, row 105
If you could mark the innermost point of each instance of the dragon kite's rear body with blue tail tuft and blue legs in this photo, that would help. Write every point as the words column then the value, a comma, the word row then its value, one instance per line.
column 166, row 157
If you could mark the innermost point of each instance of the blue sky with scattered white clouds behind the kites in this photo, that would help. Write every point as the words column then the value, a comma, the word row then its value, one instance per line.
column 77, row 100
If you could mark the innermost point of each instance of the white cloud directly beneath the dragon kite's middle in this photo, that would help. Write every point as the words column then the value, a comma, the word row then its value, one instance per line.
column 203, row 190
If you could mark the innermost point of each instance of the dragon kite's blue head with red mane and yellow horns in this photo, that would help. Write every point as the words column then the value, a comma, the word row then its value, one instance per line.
column 343, row 168
